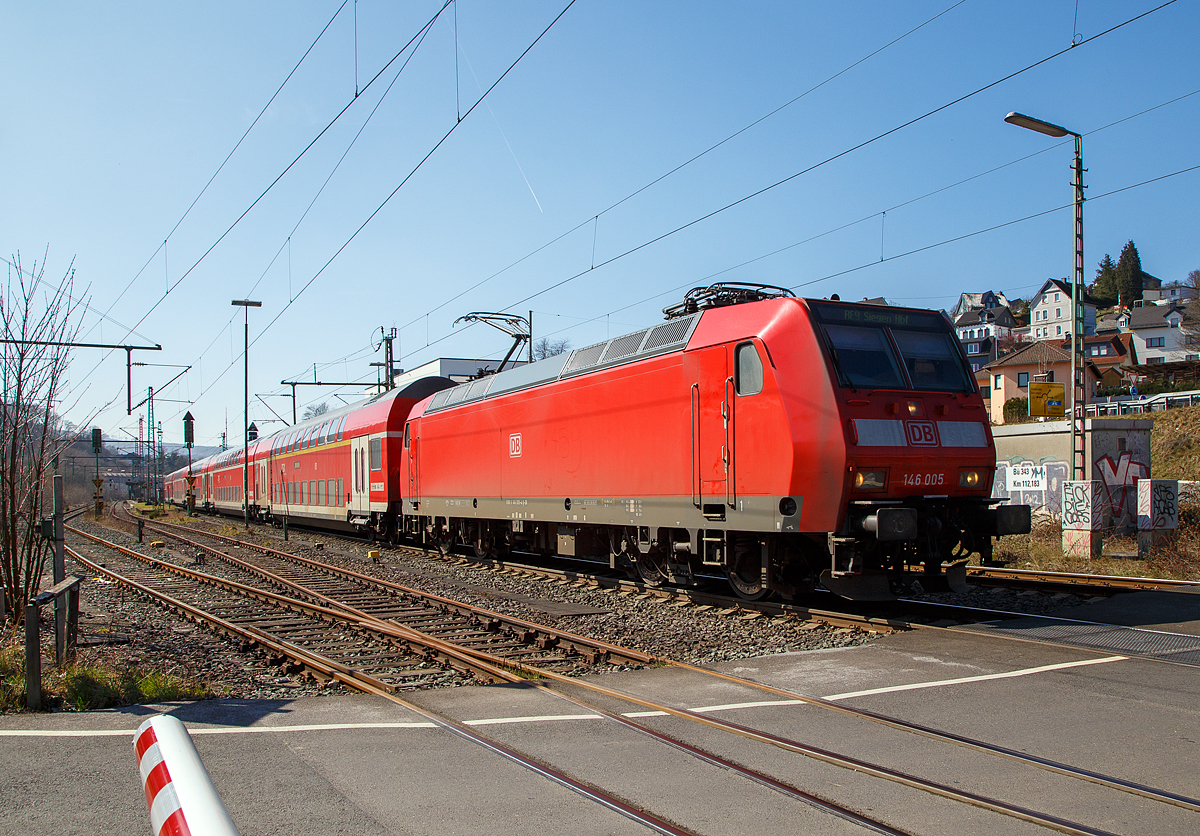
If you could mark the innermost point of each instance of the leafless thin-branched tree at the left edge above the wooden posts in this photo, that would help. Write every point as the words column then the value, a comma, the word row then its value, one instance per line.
column 33, row 312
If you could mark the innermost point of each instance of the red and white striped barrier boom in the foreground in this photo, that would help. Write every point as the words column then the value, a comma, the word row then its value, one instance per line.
column 182, row 797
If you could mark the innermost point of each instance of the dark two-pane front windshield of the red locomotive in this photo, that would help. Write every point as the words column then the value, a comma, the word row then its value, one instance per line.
column 892, row 350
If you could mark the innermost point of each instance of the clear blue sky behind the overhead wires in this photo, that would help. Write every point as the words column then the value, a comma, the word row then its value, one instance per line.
column 116, row 117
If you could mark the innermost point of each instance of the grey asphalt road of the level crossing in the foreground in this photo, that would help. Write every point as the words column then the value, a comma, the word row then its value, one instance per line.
column 363, row 766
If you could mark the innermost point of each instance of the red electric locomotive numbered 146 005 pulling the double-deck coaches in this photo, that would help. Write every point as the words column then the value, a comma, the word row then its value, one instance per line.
column 771, row 440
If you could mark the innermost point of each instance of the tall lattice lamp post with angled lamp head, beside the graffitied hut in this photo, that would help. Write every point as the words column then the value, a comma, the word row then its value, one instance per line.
column 1079, row 386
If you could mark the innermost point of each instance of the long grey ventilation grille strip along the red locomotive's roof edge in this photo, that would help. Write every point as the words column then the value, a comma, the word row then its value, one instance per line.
column 670, row 336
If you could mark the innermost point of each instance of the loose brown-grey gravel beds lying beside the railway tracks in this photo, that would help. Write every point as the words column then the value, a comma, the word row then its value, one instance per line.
column 153, row 639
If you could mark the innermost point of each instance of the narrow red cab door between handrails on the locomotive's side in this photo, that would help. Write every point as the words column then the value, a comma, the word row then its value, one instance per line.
column 710, row 430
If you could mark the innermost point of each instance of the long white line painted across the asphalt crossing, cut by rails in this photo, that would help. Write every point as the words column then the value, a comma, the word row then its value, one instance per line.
column 560, row 718
